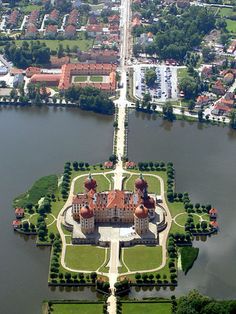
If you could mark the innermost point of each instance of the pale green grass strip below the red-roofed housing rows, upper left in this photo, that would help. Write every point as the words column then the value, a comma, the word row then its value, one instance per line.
column 82, row 44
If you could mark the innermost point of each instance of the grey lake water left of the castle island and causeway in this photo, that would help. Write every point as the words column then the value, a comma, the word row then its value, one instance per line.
column 35, row 142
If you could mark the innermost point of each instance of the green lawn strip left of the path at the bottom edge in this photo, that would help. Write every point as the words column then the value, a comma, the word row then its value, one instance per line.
column 77, row 308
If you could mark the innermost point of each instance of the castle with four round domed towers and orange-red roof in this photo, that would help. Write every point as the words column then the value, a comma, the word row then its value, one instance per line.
column 114, row 206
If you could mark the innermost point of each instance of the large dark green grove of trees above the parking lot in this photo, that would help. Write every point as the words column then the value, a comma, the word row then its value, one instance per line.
column 176, row 33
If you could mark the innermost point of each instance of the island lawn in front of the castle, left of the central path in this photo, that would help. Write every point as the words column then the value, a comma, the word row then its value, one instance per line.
column 84, row 257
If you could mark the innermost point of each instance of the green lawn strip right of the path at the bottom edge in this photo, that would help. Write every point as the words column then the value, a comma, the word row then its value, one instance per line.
column 145, row 307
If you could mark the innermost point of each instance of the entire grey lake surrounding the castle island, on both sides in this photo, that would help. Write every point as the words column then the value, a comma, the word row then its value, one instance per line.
column 35, row 142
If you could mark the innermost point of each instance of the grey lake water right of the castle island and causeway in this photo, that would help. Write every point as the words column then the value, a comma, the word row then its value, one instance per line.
column 205, row 162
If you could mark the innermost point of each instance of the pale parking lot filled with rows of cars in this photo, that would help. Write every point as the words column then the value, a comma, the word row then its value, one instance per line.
column 165, row 87
